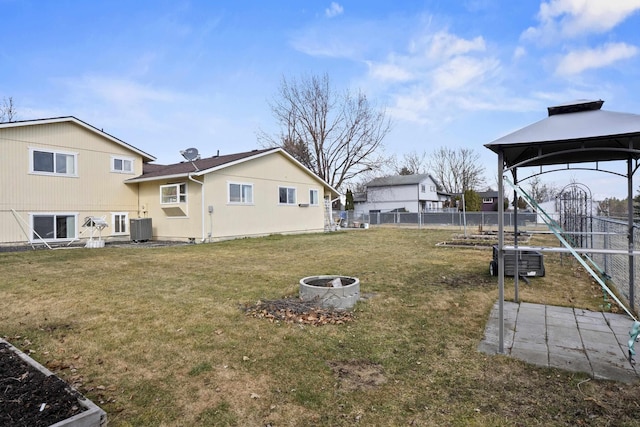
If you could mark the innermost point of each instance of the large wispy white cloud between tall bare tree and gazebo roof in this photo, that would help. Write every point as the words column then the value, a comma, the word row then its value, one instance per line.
column 439, row 75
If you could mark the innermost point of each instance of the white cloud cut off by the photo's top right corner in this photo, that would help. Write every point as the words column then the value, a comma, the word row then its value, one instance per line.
column 573, row 18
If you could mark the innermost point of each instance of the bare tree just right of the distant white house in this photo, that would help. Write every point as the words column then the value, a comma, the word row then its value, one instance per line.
column 457, row 170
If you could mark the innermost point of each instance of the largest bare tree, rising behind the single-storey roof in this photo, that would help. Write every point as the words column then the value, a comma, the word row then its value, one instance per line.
column 336, row 135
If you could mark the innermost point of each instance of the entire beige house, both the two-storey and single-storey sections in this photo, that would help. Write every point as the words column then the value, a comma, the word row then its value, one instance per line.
column 54, row 173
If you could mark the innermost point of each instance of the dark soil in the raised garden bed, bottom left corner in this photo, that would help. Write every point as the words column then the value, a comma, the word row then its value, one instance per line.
column 28, row 397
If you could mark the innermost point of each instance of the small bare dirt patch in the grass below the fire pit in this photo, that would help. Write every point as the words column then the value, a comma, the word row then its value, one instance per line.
column 358, row 374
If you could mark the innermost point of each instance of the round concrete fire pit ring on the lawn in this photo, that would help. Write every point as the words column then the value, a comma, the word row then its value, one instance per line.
column 340, row 292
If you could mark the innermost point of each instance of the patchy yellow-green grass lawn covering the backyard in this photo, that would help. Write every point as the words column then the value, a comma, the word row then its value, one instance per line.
column 158, row 337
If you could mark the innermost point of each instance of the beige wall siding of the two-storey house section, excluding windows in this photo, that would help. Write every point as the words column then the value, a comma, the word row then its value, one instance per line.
column 94, row 191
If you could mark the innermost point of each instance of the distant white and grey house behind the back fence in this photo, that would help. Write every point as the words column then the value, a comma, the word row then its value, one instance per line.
column 405, row 193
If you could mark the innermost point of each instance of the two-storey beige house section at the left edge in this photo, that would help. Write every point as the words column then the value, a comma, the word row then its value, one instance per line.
column 56, row 172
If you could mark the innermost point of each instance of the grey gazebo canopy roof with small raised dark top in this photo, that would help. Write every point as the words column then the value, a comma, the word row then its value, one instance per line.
column 575, row 132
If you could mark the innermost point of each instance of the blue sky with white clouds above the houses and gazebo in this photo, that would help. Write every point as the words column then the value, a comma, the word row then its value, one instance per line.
column 168, row 75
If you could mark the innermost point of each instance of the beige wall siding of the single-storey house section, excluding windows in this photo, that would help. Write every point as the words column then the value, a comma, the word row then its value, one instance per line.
column 264, row 216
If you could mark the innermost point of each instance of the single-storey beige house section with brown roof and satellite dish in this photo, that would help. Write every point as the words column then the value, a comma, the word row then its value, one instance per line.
column 254, row 193
